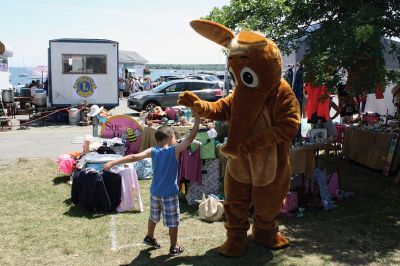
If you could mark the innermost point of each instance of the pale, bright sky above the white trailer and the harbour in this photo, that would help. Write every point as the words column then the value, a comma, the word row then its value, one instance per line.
column 157, row 29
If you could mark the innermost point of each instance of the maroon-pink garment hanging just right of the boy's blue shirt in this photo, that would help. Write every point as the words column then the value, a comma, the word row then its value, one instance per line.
column 190, row 168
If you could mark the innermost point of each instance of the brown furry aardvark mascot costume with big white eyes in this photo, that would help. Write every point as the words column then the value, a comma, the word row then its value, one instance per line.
column 264, row 116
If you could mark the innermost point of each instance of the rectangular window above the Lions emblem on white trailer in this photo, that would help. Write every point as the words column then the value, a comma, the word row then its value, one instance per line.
column 84, row 64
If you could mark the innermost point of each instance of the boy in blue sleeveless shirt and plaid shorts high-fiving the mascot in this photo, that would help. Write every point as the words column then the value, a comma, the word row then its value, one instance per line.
column 164, row 187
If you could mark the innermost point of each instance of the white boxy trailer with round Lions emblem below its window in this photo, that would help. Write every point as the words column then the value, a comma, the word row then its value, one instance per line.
column 83, row 70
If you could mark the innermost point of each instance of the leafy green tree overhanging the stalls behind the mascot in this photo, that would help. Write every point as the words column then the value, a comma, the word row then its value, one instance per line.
column 341, row 35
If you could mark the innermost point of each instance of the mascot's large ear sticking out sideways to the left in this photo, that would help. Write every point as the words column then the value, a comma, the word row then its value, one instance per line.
column 213, row 31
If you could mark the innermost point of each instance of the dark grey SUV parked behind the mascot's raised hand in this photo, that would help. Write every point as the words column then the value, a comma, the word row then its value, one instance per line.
column 166, row 94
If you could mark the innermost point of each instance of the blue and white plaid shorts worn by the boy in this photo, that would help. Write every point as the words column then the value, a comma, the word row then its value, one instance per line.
column 168, row 206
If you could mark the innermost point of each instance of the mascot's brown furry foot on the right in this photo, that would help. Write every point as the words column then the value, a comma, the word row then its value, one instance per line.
column 271, row 239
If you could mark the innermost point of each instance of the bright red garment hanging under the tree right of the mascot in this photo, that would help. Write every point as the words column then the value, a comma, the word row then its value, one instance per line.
column 317, row 106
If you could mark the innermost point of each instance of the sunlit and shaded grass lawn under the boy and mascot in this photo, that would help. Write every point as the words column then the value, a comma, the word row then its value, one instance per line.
column 39, row 225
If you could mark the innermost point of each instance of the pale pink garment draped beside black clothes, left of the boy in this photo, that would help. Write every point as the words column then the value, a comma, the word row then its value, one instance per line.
column 129, row 190
